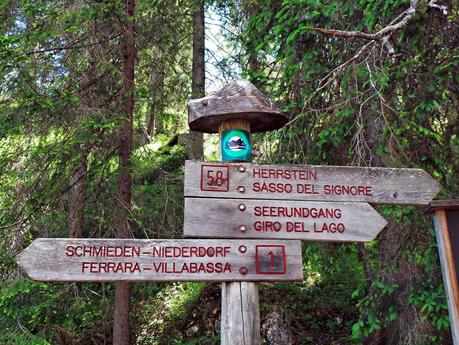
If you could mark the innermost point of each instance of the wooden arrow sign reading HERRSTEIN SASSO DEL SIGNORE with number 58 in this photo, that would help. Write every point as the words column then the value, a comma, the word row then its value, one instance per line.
column 309, row 182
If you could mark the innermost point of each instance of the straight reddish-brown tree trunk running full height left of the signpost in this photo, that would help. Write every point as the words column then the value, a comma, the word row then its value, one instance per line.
column 122, row 290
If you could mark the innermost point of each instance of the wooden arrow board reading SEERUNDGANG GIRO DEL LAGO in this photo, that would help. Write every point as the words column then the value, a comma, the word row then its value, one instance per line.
column 280, row 219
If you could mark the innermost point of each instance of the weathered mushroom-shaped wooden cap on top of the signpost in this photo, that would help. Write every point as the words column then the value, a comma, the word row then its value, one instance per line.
column 239, row 99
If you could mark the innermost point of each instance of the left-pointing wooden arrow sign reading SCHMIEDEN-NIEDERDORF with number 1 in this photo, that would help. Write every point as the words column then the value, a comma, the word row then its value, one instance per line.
column 62, row 259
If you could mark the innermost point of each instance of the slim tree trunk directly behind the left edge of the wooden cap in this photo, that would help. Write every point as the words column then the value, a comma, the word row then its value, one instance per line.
column 195, row 140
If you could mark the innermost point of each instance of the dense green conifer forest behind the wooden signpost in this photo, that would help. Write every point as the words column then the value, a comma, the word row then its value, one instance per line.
column 93, row 141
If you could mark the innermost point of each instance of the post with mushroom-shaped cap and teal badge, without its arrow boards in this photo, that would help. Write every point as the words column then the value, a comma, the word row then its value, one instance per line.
column 238, row 105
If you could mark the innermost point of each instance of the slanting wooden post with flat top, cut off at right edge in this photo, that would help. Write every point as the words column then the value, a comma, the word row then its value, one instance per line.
column 446, row 222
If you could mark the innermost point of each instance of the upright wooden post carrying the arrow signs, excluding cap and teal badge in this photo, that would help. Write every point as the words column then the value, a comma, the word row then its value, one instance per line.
column 240, row 313
